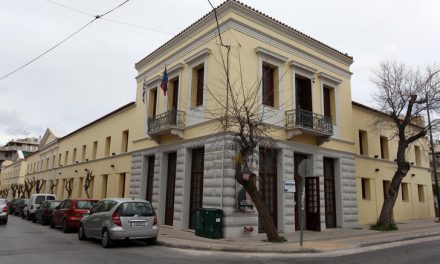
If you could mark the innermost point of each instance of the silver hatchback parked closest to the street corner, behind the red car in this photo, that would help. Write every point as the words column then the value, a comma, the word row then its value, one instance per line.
column 118, row 219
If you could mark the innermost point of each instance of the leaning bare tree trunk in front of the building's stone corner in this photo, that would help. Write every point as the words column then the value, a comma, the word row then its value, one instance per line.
column 250, row 186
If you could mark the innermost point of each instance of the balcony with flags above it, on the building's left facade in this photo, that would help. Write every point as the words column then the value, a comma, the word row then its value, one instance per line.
column 171, row 122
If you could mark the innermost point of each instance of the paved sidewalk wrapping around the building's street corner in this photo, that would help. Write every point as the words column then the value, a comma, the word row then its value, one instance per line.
column 327, row 240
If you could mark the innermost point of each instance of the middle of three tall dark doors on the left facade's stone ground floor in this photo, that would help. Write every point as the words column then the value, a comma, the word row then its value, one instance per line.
column 171, row 183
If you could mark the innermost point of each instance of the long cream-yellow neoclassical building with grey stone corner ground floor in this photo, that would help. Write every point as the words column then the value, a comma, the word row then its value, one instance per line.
column 168, row 148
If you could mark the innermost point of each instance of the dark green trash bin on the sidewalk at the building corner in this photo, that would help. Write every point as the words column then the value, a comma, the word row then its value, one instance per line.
column 209, row 223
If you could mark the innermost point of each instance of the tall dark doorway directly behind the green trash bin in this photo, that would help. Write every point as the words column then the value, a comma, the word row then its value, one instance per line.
column 196, row 200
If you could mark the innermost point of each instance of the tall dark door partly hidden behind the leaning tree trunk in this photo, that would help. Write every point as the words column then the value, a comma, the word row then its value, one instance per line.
column 268, row 183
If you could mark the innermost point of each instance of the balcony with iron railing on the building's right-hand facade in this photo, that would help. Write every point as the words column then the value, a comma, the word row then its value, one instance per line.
column 301, row 121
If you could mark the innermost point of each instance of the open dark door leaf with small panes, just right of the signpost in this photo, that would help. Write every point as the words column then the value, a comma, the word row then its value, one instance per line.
column 313, row 219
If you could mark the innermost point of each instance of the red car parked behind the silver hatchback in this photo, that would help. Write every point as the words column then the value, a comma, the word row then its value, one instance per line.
column 70, row 212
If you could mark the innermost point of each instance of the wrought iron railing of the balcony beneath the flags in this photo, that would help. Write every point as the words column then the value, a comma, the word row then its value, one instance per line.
column 165, row 121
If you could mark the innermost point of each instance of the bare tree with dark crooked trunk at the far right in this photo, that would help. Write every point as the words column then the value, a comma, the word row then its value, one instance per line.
column 404, row 95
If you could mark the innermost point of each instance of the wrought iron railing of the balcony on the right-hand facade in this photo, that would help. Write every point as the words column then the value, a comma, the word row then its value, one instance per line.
column 307, row 120
